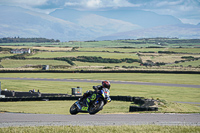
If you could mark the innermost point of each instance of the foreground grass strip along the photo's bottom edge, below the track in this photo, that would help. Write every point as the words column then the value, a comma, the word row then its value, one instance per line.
column 103, row 129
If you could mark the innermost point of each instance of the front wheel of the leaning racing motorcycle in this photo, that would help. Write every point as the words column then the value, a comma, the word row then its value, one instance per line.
column 95, row 108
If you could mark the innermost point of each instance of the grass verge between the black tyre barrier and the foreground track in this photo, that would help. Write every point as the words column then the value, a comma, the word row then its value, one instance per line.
column 62, row 107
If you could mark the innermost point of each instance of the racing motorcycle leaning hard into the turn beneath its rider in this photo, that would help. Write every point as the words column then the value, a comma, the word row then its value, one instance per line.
column 95, row 106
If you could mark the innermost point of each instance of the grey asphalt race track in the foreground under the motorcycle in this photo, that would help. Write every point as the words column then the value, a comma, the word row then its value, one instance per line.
column 17, row 119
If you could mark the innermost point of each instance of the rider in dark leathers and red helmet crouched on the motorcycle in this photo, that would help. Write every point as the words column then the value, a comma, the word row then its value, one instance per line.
column 92, row 94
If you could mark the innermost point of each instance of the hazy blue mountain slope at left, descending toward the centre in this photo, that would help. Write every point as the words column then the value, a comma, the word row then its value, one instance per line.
column 20, row 22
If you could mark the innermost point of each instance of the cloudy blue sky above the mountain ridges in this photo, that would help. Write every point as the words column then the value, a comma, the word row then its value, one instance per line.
column 188, row 11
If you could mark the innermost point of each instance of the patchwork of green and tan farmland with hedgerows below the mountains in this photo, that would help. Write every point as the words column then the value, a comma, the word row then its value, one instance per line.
column 149, row 54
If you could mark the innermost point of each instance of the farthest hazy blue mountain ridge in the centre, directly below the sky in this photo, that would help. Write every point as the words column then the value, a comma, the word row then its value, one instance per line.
column 137, row 17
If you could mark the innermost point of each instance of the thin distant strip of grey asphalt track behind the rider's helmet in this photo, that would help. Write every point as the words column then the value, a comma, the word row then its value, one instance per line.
column 112, row 81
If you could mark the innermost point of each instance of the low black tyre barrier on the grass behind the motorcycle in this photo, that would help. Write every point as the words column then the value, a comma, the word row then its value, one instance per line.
column 11, row 96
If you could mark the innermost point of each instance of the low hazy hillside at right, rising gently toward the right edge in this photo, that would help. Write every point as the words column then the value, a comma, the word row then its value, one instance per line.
column 179, row 31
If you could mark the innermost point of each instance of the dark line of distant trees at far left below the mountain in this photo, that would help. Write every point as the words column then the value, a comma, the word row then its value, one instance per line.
column 25, row 40
